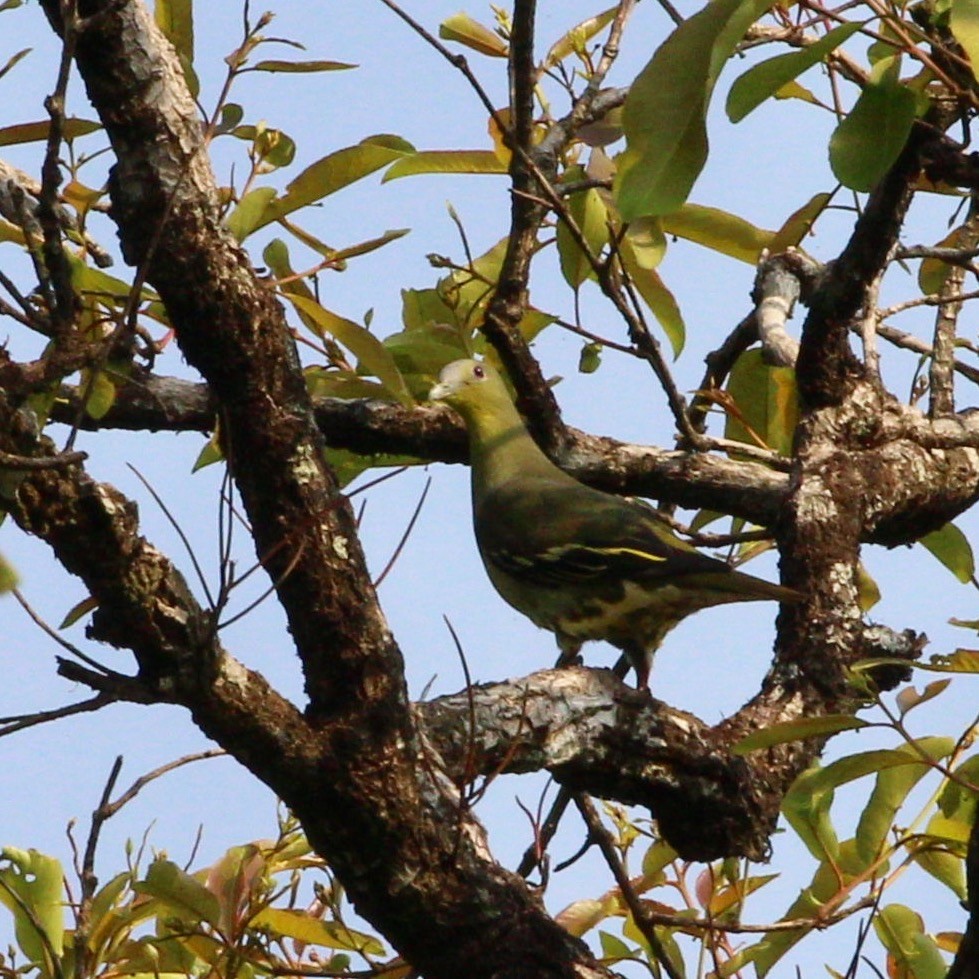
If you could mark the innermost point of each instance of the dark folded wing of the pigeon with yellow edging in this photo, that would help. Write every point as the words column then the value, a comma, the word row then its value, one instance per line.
column 536, row 530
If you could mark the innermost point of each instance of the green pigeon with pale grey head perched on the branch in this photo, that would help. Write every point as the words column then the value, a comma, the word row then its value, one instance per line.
column 579, row 562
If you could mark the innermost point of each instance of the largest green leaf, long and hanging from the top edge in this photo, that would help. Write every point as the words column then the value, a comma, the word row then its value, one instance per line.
column 665, row 114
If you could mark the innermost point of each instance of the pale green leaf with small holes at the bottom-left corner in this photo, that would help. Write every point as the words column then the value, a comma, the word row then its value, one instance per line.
column 30, row 887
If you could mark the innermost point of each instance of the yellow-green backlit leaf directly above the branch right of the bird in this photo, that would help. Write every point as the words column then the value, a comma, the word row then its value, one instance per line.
column 768, row 401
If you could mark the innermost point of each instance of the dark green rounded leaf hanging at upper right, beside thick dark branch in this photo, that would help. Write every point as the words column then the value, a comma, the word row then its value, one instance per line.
column 869, row 139
